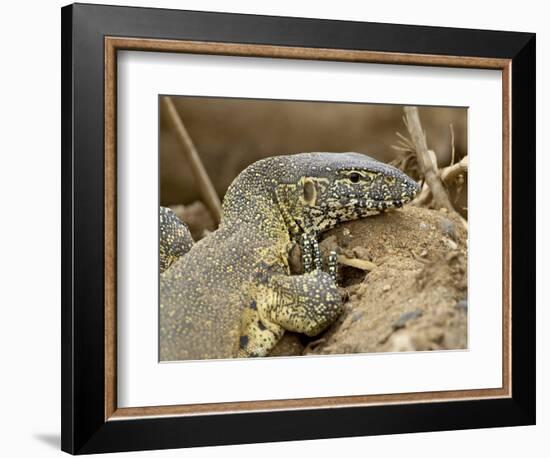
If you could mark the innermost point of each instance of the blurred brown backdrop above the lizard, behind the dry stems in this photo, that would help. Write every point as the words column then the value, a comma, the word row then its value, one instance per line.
column 231, row 133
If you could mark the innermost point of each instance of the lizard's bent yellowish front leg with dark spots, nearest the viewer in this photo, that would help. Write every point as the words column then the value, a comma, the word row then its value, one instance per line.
column 306, row 303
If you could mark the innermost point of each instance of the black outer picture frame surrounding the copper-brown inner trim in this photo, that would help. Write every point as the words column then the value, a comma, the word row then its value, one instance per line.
column 84, row 426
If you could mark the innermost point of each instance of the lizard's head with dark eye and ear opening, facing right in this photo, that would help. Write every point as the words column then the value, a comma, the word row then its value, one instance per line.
column 339, row 187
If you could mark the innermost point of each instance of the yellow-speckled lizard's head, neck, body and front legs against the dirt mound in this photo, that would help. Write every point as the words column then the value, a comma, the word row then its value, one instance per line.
column 232, row 294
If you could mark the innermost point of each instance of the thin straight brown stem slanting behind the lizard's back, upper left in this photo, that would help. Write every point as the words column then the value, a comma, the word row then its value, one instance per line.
column 206, row 188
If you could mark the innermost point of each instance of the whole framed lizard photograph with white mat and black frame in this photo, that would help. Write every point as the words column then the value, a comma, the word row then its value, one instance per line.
column 281, row 228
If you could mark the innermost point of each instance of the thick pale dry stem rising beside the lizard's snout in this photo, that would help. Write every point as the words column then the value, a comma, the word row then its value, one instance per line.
column 425, row 160
